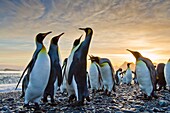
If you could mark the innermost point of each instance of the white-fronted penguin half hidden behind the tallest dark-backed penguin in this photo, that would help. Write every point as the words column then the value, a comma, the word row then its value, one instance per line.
column 70, row 87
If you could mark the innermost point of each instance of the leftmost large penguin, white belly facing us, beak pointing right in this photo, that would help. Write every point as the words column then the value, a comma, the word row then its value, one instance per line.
column 39, row 67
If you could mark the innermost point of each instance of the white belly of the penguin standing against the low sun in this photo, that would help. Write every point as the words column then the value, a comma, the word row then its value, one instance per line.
column 143, row 77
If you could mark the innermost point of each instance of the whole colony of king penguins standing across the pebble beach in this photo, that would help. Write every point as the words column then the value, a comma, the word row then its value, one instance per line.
column 44, row 75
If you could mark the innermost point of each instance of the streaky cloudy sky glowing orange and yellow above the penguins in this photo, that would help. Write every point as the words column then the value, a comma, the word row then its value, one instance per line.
column 142, row 25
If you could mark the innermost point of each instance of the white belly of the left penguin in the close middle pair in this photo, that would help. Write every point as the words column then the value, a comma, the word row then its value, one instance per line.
column 94, row 76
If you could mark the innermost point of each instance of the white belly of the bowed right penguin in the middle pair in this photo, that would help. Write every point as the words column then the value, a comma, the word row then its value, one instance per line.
column 107, row 77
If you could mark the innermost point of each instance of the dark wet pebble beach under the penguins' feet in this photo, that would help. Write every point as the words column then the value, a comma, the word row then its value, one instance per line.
column 125, row 99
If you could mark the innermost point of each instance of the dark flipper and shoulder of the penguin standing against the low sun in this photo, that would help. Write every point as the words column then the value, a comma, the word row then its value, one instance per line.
column 152, row 70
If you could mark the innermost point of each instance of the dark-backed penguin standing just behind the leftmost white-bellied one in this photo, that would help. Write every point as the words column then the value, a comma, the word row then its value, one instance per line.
column 55, row 72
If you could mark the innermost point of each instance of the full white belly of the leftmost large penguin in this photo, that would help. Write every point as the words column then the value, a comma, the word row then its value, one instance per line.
column 39, row 77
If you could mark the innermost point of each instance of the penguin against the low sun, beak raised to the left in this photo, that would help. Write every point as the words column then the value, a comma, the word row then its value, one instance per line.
column 146, row 74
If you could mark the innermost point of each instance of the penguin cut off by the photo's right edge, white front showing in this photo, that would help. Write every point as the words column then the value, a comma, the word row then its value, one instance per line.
column 167, row 74
